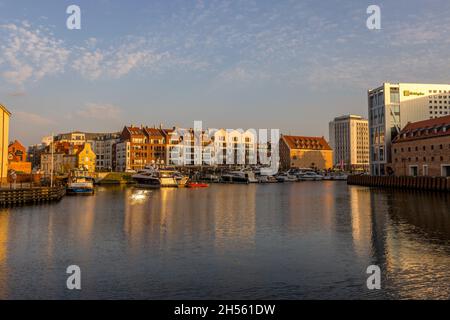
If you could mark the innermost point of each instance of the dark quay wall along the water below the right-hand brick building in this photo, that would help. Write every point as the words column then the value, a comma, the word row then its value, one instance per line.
column 416, row 183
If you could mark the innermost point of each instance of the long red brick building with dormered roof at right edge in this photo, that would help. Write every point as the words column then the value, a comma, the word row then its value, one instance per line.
column 423, row 149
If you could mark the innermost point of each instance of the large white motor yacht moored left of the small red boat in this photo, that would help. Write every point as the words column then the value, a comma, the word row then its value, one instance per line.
column 151, row 177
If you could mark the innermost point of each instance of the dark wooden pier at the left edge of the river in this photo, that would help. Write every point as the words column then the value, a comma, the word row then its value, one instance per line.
column 31, row 195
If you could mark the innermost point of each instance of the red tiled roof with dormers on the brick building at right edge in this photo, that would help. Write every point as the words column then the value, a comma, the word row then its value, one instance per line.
column 425, row 129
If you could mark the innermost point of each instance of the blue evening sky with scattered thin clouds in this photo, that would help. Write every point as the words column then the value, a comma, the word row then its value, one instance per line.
column 288, row 65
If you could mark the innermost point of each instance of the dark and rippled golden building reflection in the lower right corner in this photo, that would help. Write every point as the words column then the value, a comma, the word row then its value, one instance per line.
column 416, row 242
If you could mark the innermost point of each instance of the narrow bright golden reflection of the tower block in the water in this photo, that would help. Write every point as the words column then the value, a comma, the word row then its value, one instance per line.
column 361, row 216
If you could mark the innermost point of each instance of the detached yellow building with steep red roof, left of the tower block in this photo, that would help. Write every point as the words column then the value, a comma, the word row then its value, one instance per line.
column 305, row 152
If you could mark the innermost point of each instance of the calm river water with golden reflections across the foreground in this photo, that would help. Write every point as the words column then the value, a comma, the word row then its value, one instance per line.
column 307, row 240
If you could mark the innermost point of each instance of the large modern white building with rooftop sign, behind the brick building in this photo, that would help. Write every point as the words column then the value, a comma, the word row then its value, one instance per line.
column 392, row 106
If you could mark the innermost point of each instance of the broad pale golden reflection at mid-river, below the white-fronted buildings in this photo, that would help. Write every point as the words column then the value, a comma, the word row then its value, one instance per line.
column 234, row 210
